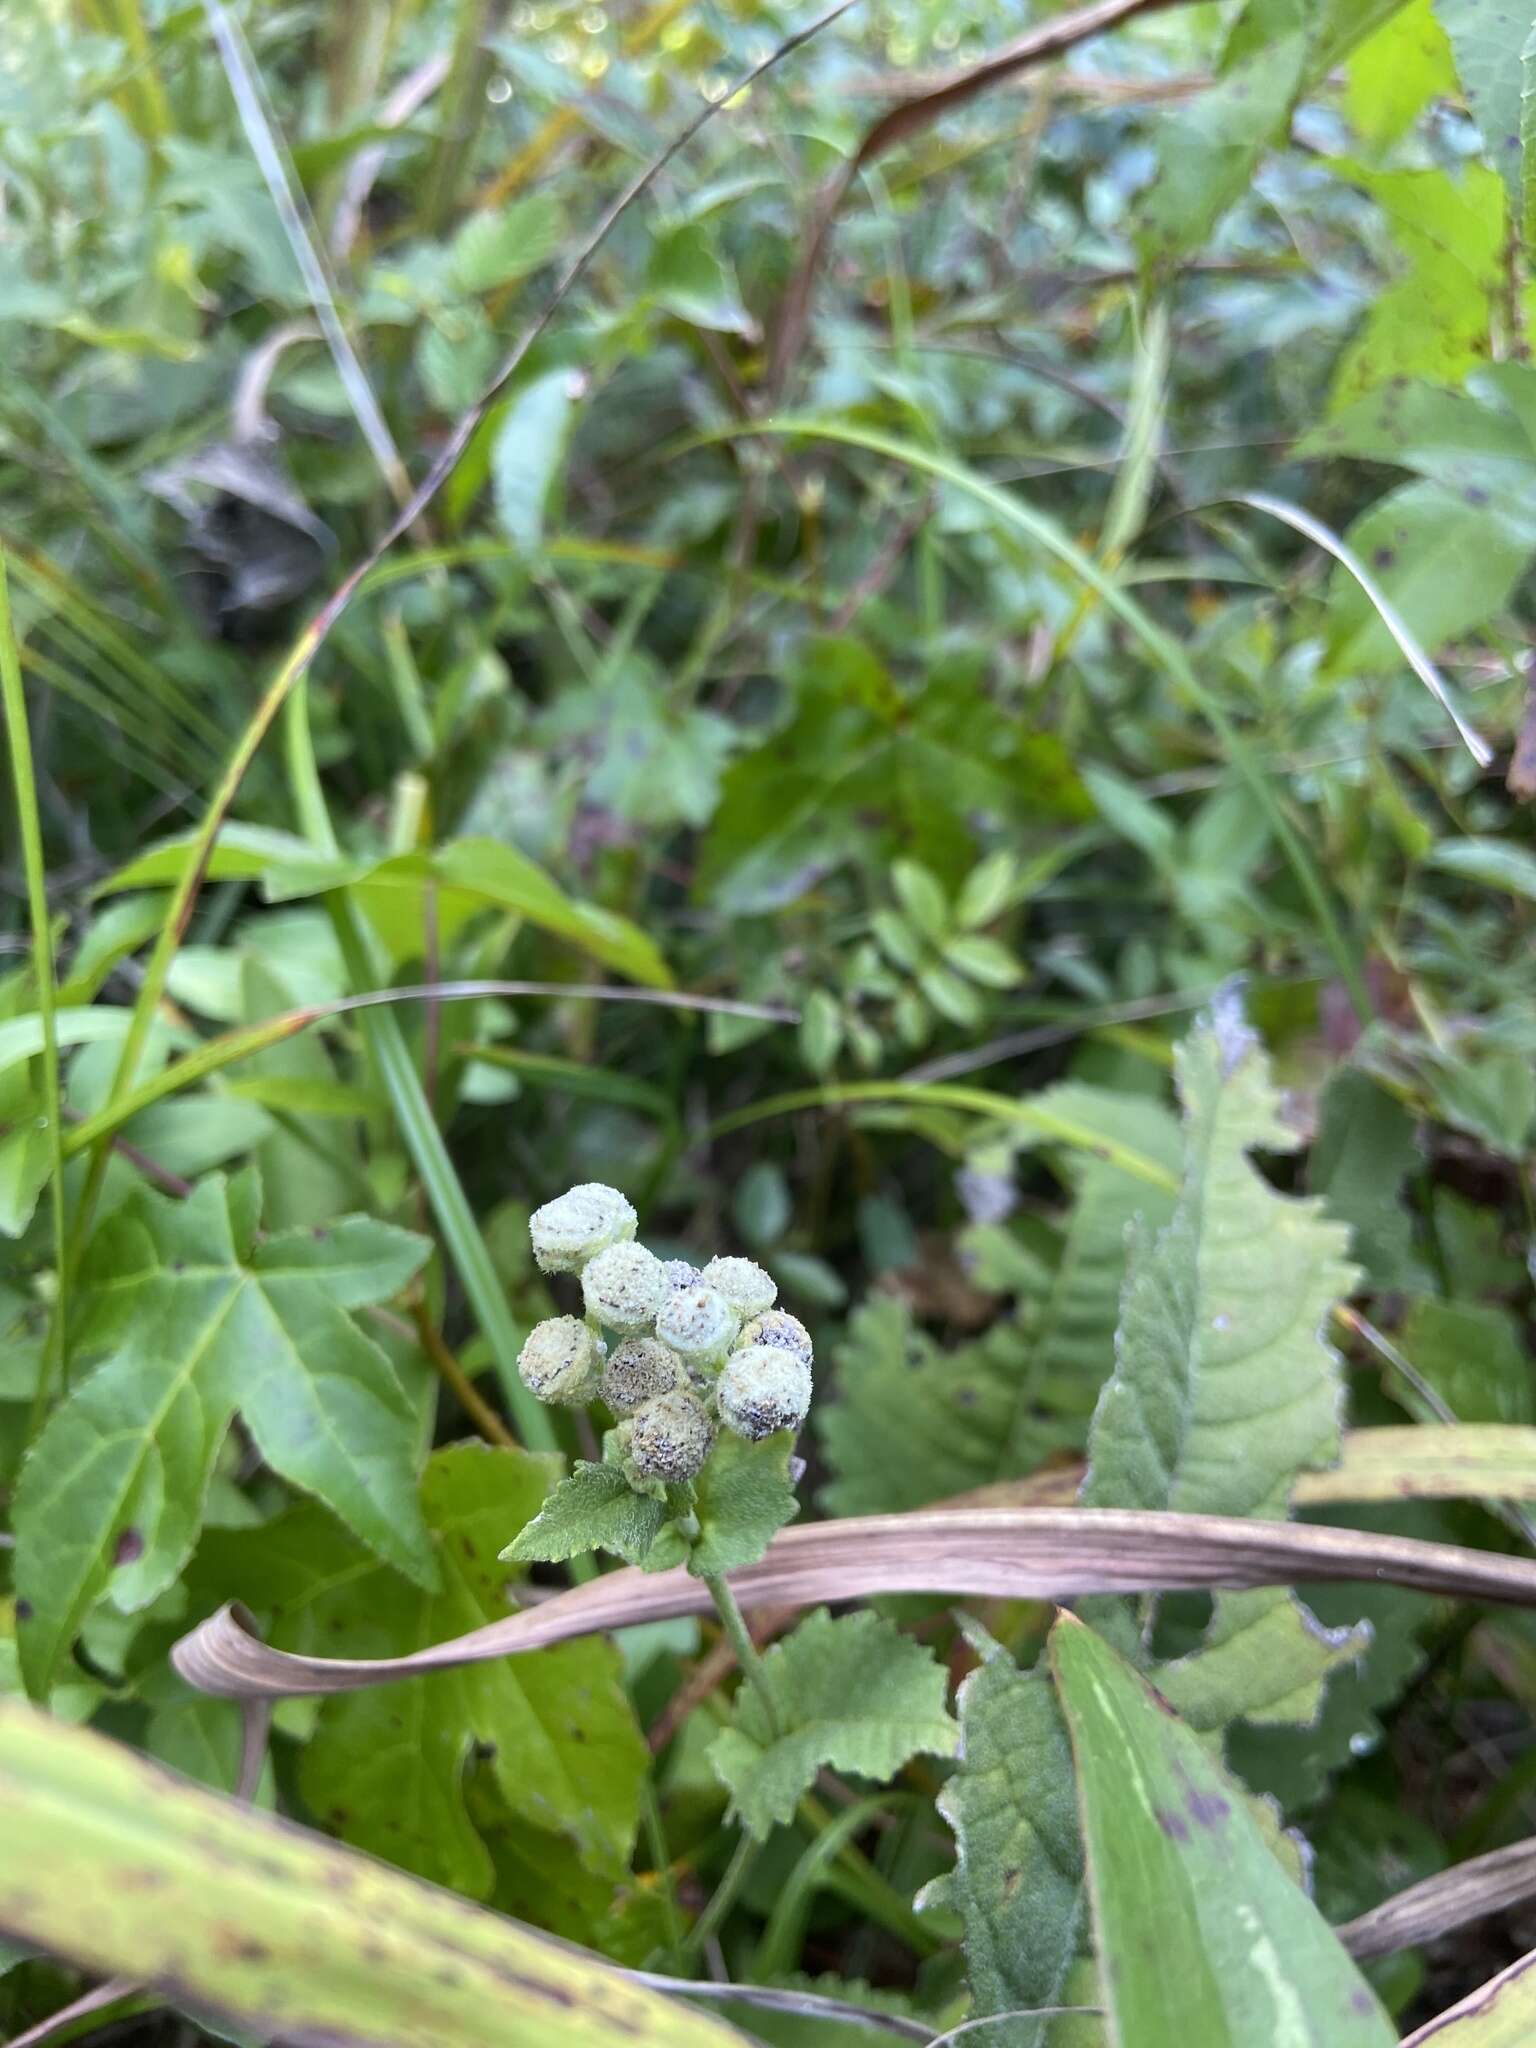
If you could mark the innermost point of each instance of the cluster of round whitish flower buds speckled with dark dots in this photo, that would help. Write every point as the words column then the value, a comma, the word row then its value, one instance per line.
column 693, row 1349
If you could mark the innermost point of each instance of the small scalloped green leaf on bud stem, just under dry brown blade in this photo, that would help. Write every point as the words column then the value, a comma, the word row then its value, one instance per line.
column 853, row 1695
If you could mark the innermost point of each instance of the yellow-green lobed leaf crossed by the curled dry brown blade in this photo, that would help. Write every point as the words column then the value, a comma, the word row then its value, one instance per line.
column 386, row 1768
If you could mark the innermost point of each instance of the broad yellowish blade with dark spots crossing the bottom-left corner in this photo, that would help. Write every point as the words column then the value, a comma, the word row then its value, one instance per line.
column 232, row 1920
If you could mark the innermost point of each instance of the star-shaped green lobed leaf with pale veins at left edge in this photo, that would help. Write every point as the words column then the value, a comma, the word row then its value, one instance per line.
column 194, row 1322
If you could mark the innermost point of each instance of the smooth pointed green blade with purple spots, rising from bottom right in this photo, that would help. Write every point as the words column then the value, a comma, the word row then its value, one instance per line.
column 1201, row 1934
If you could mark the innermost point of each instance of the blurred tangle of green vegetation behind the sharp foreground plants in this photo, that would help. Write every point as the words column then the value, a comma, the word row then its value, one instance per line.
column 976, row 607
